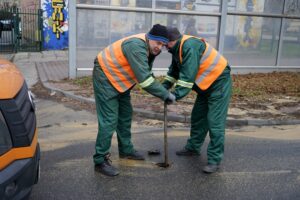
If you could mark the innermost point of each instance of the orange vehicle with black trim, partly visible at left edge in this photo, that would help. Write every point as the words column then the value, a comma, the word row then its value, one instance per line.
column 19, row 147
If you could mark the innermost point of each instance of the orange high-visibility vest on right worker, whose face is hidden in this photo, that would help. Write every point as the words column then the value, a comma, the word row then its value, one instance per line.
column 212, row 64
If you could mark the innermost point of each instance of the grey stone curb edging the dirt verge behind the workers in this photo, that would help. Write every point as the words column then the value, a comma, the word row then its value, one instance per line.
column 179, row 118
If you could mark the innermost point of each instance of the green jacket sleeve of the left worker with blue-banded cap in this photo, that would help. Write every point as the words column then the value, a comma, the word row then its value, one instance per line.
column 136, row 52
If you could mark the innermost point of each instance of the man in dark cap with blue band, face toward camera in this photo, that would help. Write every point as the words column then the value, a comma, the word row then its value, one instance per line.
column 117, row 69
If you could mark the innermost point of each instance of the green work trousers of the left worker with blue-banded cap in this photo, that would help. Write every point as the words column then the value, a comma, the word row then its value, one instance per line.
column 114, row 112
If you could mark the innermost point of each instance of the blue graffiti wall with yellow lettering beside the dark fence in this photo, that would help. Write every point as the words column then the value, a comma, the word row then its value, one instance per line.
column 55, row 24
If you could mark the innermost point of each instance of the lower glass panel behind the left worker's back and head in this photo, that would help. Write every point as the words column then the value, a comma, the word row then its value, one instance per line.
column 97, row 29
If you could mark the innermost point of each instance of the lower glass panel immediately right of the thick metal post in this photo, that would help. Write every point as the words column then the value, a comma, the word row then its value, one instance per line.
column 252, row 41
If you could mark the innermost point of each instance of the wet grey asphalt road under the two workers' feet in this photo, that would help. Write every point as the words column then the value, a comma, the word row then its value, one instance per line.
column 259, row 162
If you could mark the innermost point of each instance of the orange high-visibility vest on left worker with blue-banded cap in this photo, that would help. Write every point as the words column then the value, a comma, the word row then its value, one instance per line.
column 115, row 65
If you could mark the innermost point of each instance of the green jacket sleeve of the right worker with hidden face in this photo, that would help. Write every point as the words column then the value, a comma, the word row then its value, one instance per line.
column 192, row 50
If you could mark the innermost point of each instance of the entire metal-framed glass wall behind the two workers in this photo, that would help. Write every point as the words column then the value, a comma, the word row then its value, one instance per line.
column 255, row 32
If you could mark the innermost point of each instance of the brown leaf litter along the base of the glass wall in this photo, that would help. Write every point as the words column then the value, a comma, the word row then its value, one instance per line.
column 249, row 88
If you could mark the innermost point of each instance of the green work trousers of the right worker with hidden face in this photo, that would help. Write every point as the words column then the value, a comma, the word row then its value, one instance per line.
column 209, row 115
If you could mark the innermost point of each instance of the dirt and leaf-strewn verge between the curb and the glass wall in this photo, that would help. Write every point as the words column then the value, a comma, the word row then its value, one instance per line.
column 266, row 96
